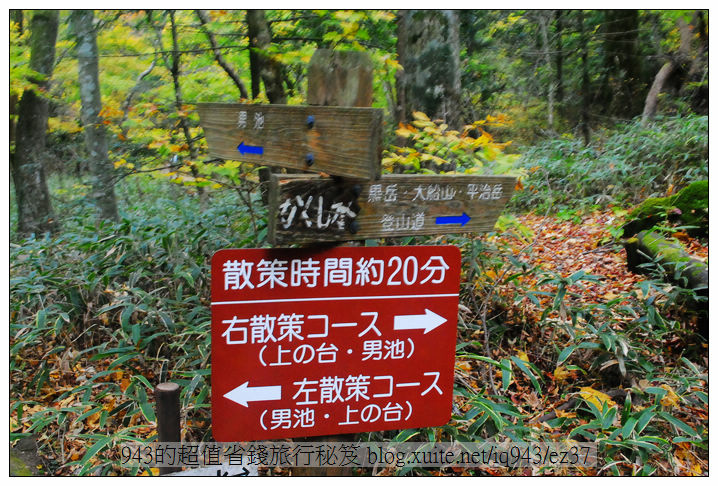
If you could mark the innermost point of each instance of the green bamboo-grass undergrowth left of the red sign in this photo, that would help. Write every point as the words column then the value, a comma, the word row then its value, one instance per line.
column 129, row 298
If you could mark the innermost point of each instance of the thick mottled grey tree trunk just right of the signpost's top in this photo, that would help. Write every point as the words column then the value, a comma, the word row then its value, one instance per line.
column 428, row 48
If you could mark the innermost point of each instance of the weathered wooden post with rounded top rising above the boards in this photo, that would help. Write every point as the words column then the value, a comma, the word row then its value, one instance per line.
column 337, row 78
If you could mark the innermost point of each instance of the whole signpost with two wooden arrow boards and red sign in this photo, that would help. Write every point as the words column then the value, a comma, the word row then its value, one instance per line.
column 349, row 200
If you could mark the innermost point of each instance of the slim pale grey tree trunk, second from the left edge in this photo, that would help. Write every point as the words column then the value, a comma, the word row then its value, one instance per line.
column 103, row 186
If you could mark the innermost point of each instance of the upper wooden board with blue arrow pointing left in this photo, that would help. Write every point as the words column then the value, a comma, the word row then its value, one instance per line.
column 338, row 141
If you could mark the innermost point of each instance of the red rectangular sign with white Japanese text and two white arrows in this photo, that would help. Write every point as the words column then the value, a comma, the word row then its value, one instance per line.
column 309, row 342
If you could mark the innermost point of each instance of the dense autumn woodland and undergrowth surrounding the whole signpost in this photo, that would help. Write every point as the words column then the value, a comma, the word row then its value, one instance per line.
column 116, row 210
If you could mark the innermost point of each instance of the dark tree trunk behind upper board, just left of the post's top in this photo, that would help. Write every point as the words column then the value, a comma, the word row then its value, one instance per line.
column 262, row 66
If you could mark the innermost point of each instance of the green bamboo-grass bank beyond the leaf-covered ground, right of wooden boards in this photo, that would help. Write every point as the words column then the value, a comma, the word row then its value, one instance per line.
column 623, row 167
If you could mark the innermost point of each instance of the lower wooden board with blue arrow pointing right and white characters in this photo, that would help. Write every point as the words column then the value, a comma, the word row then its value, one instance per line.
column 306, row 209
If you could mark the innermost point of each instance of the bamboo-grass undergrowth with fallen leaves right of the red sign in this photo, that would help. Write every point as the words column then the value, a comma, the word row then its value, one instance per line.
column 613, row 343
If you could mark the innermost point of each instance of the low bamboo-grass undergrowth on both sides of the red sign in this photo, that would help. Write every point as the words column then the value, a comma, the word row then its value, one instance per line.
column 102, row 313
